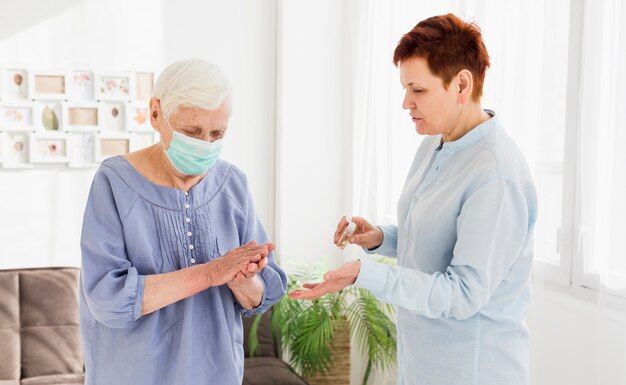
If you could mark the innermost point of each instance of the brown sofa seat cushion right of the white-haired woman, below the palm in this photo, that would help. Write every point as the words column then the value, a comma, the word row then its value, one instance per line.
column 268, row 370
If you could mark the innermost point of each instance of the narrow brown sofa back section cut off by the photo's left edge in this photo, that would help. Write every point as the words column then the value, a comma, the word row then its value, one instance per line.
column 9, row 327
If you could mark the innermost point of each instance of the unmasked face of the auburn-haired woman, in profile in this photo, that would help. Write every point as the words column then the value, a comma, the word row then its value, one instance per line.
column 433, row 108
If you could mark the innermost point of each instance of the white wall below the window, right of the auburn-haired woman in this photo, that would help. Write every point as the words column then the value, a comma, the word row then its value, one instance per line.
column 575, row 342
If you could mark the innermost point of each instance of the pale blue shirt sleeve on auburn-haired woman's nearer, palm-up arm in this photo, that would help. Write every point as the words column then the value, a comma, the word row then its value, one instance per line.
column 492, row 230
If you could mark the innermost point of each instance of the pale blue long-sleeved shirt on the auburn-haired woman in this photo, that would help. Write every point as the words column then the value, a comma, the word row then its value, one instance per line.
column 464, row 245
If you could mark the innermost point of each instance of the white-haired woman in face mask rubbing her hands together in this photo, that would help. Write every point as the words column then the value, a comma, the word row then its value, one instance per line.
column 173, row 253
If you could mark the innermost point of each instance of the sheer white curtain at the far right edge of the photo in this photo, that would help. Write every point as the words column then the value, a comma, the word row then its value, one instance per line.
column 602, row 163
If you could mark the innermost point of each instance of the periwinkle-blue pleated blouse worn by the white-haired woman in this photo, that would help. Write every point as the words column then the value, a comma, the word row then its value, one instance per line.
column 133, row 228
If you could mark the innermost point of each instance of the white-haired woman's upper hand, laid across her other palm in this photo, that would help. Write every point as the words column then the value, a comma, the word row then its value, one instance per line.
column 247, row 259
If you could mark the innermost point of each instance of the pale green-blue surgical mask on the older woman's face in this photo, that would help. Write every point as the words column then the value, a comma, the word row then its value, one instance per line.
column 191, row 156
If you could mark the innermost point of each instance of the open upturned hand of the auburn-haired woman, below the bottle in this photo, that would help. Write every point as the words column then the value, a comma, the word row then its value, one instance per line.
column 334, row 281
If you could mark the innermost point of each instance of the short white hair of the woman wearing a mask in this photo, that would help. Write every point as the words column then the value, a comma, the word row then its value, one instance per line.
column 192, row 83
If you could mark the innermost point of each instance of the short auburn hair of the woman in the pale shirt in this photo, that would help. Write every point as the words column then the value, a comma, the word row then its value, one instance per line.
column 449, row 45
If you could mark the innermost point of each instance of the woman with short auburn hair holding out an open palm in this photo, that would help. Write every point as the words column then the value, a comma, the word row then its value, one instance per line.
column 464, row 239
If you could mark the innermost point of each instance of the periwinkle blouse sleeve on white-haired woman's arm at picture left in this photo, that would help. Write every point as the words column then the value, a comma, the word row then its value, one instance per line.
column 112, row 287
